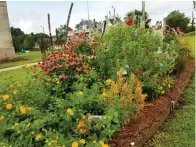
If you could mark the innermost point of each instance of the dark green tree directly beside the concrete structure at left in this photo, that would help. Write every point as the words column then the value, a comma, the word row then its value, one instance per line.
column 18, row 37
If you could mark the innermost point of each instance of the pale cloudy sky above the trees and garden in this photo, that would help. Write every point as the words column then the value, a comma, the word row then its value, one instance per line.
column 29, row 16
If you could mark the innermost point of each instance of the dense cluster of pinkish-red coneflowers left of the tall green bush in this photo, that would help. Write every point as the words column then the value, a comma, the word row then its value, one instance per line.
column 64, row 63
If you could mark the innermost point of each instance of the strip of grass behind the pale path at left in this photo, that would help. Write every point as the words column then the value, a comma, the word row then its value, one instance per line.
column 31, row 57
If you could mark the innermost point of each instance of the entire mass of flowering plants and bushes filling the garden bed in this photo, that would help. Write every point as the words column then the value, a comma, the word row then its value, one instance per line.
column 82, row 95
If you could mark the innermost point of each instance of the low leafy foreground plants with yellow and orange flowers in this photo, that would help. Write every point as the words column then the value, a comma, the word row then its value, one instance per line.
column 31, row 117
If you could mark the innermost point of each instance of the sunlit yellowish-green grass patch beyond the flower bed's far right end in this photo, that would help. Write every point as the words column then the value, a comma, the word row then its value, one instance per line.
column 190, row 37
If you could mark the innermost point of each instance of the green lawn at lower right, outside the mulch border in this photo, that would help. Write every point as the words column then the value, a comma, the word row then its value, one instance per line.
column 178, row 130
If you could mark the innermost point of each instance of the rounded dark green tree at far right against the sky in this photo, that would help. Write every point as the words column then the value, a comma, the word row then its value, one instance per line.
column 177, row 19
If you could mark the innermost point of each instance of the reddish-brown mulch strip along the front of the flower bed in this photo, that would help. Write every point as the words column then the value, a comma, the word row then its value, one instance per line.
column 152, row 113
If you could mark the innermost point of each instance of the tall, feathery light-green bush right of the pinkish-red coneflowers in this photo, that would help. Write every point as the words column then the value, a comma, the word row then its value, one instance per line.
column 137, row 50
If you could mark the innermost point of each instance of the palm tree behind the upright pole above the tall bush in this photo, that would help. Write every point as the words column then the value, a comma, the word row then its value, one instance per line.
column 136, row 15
